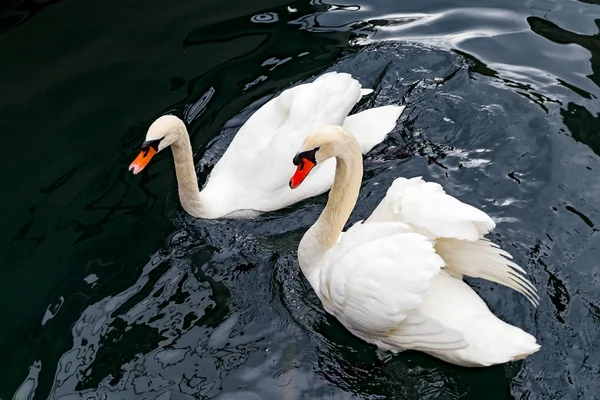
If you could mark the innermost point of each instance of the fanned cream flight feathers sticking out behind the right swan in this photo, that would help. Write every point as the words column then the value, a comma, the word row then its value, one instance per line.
column 484, row 259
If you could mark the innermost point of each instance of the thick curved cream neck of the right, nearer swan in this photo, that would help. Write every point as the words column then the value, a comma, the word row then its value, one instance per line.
column 324, row 234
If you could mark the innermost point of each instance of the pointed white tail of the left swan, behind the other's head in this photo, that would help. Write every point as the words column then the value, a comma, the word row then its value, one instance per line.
column 371, row 127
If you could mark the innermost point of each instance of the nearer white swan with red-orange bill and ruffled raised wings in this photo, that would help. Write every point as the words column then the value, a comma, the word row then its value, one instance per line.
column 395, row 280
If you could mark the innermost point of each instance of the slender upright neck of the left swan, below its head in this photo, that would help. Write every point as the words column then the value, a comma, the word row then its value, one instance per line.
column 187, row 181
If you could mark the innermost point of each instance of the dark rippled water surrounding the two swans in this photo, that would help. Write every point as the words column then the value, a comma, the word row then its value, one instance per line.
column 108, row 290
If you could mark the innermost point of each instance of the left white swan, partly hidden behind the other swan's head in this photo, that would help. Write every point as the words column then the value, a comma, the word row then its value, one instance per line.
column 252, row 176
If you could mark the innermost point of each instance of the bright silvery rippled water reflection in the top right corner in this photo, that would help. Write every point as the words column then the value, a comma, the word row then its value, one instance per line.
column 501, row 38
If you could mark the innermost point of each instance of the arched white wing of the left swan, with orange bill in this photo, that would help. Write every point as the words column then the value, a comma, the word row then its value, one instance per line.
column 259, row 158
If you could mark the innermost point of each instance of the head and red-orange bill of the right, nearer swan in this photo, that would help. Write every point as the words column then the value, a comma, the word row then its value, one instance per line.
column 320, row 145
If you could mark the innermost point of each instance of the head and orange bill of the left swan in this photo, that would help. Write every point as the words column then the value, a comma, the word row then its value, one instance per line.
column 163, row 132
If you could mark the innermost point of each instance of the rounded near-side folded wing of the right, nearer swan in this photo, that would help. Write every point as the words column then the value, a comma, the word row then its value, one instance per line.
column 375, row 277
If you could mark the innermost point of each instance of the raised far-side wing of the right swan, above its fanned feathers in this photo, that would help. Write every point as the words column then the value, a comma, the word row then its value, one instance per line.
column 426, row 208
